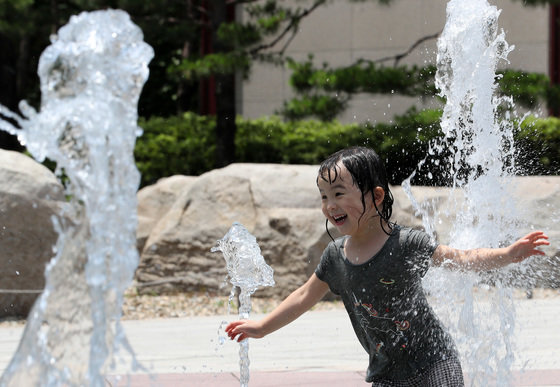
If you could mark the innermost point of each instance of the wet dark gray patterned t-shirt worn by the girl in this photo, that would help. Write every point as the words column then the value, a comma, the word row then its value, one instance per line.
column 387, row 306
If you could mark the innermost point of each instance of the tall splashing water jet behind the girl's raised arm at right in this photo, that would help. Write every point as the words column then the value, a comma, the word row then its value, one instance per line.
column 478, row 144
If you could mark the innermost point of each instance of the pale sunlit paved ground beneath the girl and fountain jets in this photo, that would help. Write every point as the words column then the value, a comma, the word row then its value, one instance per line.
column 317, row 349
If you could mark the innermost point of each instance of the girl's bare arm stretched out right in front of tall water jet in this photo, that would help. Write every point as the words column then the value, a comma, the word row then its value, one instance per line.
column 486, row 259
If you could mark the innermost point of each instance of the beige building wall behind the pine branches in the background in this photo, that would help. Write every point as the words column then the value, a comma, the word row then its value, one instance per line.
column 342, row 32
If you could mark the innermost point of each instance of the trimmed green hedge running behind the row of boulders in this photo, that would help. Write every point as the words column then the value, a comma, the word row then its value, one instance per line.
column 185, row 144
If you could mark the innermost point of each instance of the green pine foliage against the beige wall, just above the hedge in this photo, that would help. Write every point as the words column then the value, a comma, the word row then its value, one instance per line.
column 325, row 92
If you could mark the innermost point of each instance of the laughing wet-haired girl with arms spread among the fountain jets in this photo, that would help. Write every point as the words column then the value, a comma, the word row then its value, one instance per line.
column 376, row 268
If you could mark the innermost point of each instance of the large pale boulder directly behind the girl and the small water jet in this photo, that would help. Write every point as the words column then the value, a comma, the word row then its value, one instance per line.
column 278, row 204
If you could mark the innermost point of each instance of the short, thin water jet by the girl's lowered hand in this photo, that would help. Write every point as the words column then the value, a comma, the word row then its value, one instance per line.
column 247, row 270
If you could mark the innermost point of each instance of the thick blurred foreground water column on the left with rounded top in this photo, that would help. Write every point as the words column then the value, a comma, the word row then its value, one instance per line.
column 91, row 78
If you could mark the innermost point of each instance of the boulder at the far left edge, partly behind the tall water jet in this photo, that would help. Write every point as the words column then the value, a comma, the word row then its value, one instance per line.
column 30, row 195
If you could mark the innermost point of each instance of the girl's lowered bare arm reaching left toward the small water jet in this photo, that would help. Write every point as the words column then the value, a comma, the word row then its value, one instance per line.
column 301, row 300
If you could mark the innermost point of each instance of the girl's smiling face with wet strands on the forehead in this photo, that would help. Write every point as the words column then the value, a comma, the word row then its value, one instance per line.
column 341, row 201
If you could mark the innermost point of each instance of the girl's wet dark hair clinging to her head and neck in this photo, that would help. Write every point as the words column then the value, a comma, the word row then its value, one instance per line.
column 367, row 171
